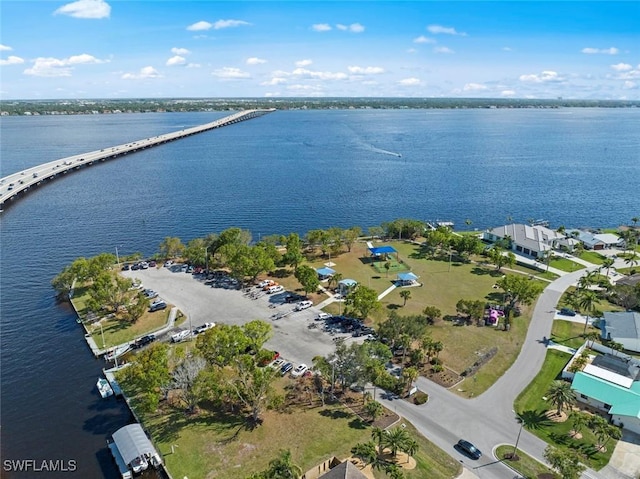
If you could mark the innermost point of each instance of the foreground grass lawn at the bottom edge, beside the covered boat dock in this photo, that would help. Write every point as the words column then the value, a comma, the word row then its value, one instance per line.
column 215, row 444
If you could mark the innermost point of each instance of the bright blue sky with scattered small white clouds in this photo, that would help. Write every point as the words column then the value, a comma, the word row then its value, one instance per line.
column 131, row 49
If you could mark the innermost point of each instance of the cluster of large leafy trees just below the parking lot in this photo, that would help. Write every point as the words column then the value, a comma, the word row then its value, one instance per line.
column 226, row 369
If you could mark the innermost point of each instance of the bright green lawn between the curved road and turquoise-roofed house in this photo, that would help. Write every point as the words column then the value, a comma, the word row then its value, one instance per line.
column 531, row 402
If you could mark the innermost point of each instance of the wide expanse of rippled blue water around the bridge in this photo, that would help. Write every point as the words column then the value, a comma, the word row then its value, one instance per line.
column 286, row 171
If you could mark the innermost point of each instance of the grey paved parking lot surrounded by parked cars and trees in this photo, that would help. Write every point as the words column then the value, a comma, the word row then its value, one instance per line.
column 292, row 337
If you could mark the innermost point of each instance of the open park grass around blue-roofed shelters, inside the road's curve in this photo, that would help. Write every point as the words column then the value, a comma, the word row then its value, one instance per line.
column 443, row 286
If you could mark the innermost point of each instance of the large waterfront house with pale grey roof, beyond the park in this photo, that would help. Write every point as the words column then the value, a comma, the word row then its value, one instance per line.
column 533, row 241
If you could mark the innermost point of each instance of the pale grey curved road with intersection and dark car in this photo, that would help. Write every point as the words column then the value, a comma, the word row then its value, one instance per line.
column 489, row 420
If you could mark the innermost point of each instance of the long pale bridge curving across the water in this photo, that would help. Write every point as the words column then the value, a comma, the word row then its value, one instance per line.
column 20, row 183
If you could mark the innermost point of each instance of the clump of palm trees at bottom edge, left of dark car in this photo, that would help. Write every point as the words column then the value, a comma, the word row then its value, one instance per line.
column 394, row 440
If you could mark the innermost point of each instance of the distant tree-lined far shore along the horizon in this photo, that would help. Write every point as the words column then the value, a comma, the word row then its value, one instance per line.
column 157, row 105
